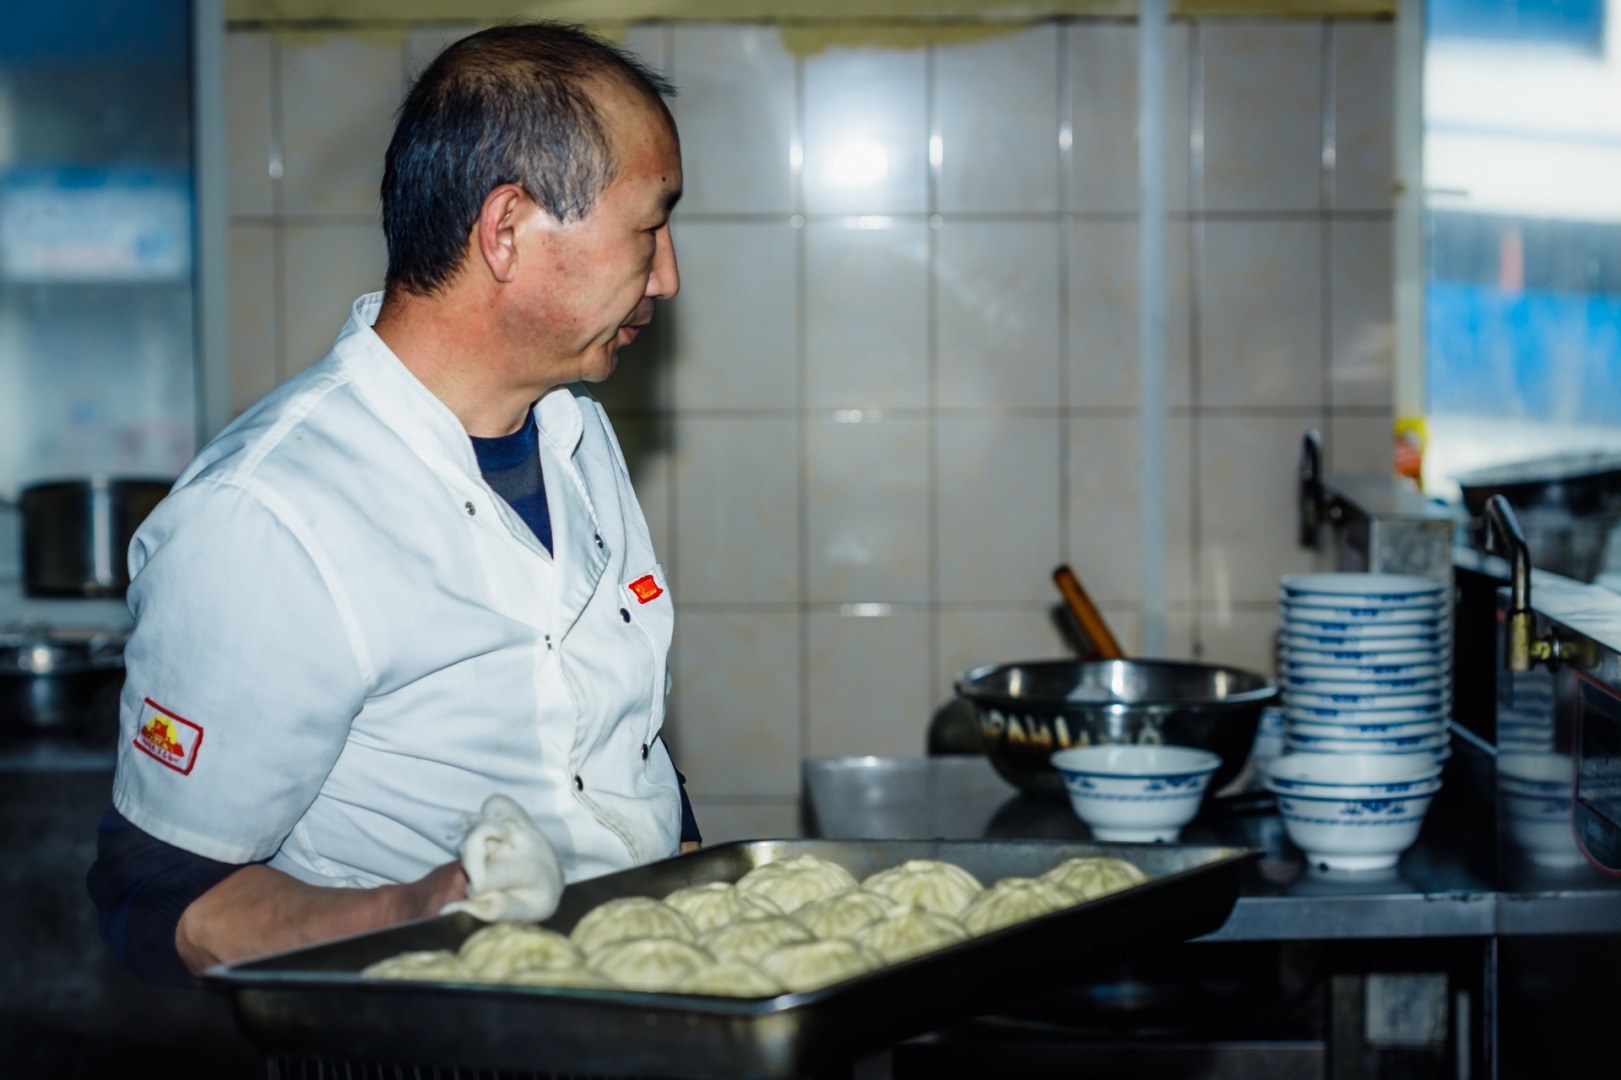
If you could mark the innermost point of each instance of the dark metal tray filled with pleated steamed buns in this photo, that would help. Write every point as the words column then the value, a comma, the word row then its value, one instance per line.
column 746, row 959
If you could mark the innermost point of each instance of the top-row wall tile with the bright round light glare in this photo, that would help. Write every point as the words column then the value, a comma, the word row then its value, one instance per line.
column 866, row 132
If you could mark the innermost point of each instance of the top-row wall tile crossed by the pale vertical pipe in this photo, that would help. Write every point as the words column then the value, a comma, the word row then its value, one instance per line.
column 1103, row 80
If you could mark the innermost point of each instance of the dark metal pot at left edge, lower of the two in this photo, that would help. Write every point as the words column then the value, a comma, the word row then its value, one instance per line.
column 61, row 685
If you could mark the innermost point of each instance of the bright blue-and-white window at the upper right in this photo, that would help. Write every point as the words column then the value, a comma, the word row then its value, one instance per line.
column 1523, row 181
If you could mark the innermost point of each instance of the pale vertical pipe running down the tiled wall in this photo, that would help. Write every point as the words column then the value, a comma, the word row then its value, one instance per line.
column 1153, row 518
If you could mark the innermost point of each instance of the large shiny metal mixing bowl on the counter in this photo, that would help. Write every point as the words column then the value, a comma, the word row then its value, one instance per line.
column 1033, row 708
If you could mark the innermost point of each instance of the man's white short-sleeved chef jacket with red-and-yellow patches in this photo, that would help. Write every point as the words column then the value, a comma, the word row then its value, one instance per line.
column 344, row 640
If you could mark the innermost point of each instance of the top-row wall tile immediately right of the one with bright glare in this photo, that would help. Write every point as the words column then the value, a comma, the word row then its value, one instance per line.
column 999, row 122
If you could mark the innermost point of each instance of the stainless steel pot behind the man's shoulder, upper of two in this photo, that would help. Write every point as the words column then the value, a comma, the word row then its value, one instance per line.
column 77, row 534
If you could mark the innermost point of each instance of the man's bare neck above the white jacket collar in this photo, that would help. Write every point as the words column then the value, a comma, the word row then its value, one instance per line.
column 455, row 354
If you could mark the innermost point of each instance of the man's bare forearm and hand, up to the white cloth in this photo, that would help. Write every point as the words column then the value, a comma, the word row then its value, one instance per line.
column 260, row 911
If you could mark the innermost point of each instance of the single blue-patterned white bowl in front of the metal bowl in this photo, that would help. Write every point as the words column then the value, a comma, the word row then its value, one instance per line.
column 1136, row 794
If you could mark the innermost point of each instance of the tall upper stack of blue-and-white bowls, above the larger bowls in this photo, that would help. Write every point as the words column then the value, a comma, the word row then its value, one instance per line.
column 1366, row 664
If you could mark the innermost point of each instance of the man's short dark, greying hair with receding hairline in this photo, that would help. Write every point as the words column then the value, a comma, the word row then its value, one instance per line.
column 511, row 105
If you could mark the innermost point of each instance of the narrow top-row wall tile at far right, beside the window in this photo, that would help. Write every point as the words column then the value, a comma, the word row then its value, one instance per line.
column 1364, row 114
